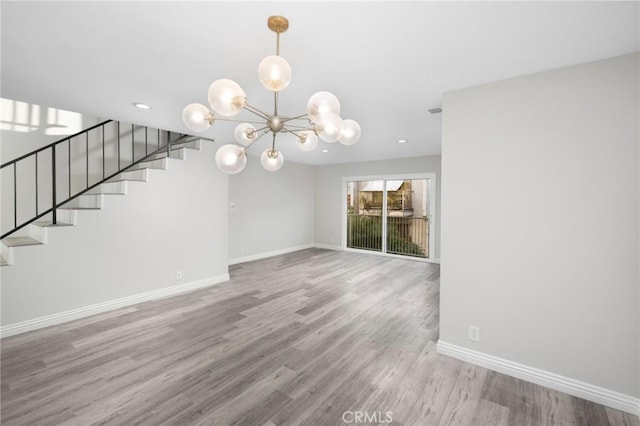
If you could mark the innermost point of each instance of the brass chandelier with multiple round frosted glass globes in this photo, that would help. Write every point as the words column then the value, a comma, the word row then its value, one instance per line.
column 227, row 99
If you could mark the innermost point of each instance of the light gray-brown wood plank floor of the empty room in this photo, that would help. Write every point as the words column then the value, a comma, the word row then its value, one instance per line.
column 297, row 339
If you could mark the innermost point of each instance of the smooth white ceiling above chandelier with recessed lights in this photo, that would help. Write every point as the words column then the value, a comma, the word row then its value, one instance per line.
column 387, row 62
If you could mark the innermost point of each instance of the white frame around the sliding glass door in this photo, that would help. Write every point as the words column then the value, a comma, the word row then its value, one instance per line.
column 431, row 181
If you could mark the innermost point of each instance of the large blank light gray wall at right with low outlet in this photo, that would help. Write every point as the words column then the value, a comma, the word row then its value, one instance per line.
column 540, row 221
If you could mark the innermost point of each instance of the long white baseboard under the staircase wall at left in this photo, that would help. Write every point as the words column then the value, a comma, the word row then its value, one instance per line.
column 62, row 317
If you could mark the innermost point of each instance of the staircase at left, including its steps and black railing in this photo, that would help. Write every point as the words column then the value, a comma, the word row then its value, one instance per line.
column 45, row 188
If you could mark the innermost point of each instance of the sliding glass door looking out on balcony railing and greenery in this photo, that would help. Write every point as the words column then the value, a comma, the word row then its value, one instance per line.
column 390, row 215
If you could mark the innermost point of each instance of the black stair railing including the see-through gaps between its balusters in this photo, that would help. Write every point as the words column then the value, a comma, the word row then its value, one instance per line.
column 105, row 146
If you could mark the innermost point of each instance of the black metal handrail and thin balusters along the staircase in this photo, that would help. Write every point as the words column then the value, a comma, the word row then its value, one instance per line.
column 164, row 143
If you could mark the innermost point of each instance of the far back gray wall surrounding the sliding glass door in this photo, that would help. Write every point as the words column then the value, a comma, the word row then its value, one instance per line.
column 328, row 192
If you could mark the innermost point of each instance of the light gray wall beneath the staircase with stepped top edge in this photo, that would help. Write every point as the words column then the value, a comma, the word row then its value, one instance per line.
column 176, row 221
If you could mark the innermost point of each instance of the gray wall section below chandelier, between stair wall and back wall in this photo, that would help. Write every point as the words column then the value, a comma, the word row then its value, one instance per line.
column 270, row 211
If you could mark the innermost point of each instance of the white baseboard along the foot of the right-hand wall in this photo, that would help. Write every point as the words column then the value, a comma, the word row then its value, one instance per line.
column 564, row 384
